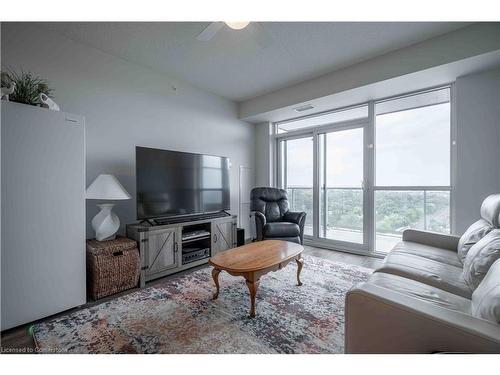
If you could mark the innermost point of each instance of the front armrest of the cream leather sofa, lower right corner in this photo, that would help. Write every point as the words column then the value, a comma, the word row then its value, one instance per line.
column 380, row 320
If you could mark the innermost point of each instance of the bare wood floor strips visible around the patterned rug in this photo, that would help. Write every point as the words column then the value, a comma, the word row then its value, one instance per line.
column 20, row 339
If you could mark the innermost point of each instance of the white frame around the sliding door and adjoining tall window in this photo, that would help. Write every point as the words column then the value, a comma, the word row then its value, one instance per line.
column 369, row 124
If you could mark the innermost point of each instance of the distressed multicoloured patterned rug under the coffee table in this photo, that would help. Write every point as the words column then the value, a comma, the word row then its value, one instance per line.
column 179, row 316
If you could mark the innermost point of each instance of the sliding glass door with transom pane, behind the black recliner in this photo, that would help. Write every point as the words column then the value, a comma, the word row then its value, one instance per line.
column 322, row 167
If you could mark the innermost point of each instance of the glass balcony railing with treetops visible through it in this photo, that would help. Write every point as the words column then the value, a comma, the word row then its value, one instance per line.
column 395, row 211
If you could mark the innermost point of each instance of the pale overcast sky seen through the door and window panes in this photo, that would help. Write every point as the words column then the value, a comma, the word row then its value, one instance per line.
column 412, row 148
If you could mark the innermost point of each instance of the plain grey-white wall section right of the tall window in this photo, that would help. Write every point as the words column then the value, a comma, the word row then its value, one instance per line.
column 478, row 143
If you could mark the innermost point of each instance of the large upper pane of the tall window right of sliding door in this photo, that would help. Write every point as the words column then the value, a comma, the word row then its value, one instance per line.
column 413, row 146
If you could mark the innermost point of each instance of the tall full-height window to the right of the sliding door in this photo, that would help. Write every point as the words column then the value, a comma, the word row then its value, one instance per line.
column 412, row 153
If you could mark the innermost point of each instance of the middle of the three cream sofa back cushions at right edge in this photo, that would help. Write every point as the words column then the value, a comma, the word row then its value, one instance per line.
column 480, row 258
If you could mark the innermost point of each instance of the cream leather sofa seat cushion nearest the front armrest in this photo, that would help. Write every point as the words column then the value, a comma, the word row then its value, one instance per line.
column 428, row 271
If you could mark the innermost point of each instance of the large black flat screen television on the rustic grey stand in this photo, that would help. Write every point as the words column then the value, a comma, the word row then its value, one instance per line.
column 172, row 183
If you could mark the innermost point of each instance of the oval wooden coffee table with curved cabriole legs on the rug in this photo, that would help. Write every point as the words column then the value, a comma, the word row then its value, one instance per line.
column 254, row 260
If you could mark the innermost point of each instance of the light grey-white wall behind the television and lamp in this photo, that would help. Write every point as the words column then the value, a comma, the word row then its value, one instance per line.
column 127, row 105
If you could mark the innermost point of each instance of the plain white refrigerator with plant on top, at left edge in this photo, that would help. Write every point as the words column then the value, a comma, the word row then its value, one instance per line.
column 43, row 213
